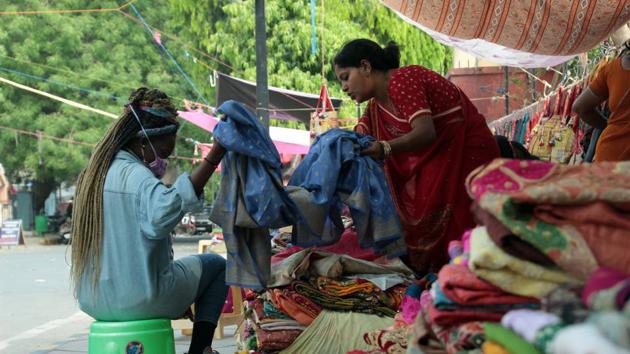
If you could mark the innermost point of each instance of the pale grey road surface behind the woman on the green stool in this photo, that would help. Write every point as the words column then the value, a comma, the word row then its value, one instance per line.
column 38, row 312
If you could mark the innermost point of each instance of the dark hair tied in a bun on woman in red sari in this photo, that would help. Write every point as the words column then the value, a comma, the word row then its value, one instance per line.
column 381, row 59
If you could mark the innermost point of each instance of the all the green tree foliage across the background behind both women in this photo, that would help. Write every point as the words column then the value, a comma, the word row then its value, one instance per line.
column 110, row 55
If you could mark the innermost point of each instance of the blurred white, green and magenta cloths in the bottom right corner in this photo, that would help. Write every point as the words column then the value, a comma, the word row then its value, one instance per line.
column 567, row 325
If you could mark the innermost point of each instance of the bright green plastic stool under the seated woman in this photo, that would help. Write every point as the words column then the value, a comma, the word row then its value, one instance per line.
column 131, row 337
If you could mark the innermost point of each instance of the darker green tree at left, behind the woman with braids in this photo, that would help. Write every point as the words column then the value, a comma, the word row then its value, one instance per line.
column 104, row 54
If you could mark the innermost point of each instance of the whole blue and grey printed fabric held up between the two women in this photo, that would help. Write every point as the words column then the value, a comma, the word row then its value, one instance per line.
column 252, row 199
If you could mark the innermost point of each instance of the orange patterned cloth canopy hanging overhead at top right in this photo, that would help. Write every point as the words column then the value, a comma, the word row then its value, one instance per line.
column 558, row 27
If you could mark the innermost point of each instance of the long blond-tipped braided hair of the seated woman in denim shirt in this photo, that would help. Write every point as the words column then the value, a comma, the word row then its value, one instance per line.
column 87, row 217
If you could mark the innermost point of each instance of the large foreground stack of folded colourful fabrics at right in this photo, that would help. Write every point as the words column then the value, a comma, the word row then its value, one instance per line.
column 516, row 283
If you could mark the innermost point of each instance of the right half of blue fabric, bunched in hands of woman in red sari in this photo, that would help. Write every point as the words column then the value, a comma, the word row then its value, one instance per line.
column 334, row 173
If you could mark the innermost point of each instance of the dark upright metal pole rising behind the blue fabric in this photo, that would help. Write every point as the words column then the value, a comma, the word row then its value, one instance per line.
column 262, row 88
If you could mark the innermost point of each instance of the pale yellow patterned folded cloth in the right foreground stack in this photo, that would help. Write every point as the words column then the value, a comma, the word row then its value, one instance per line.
column 514, row 275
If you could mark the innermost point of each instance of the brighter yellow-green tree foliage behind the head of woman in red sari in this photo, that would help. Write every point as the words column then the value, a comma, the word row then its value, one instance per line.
column 226, row 30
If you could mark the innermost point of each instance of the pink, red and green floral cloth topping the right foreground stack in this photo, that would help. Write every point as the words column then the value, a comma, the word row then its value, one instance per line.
column 511, row 190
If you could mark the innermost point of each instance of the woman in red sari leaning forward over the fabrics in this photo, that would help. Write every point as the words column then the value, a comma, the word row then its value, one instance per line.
column 430, row 136
